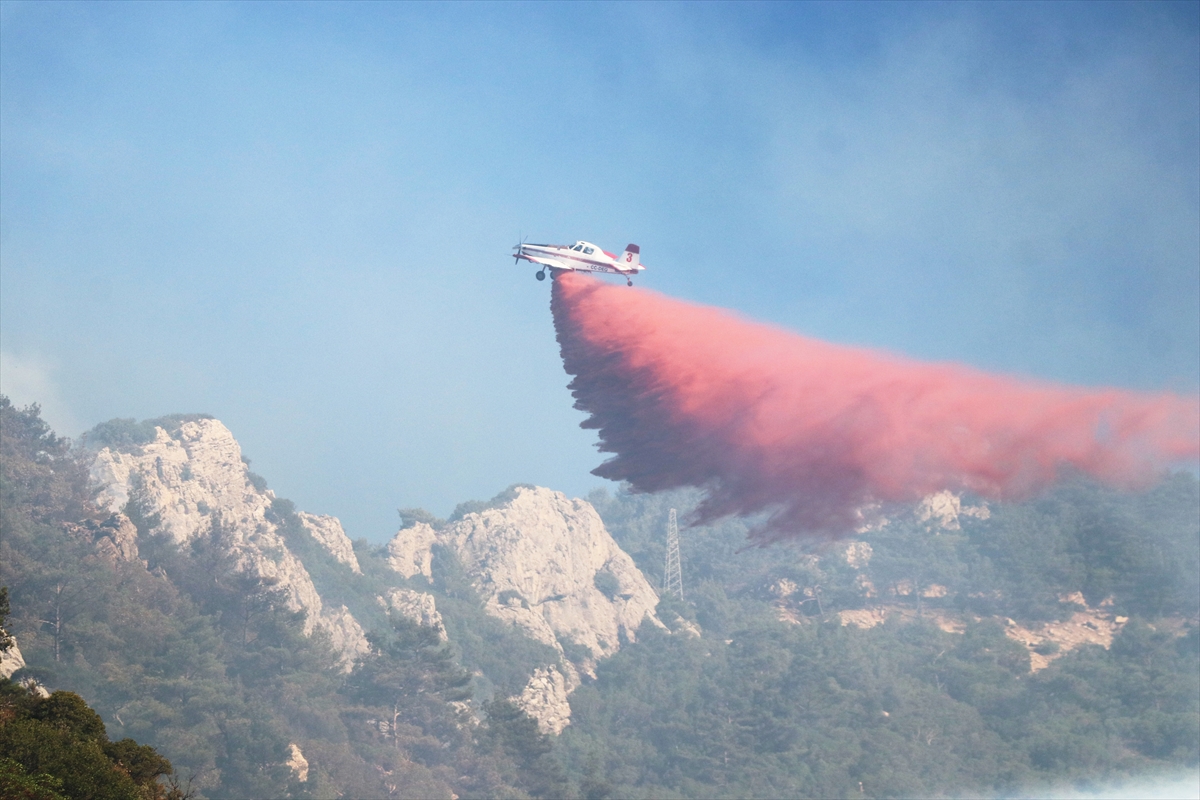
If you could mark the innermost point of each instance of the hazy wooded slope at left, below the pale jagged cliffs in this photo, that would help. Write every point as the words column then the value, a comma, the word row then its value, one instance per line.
column 212, row 669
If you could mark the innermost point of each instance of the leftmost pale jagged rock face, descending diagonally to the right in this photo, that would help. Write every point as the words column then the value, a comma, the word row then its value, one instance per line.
column 193, row 483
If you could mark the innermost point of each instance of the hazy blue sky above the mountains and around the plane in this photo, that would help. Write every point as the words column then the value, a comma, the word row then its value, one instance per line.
column 297, row 218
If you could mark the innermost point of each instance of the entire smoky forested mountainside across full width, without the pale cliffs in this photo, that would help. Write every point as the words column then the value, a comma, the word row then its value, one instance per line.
column 957, row 649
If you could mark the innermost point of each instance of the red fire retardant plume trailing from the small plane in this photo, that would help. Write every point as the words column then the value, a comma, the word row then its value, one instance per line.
column 766, row 420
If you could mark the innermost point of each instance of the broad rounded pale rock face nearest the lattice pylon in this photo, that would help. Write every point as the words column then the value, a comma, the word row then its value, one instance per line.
column 536, row 560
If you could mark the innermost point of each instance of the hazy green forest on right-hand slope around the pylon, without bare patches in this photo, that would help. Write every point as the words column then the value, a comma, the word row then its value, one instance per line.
column 761, row 708
